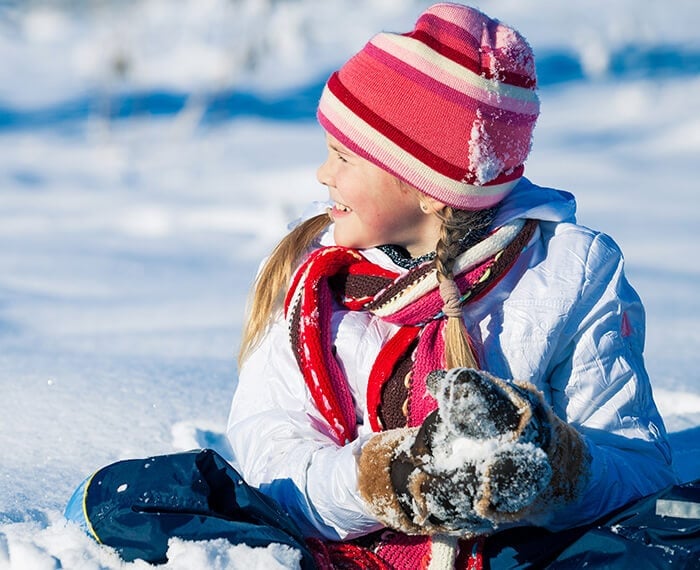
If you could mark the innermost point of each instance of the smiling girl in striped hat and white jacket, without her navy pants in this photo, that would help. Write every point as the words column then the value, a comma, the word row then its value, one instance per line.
column 445, row 355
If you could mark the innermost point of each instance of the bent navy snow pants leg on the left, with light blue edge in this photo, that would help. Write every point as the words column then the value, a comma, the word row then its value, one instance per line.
column 136, row 506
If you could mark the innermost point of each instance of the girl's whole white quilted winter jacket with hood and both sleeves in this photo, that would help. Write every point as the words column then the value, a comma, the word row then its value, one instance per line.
column 564, row 317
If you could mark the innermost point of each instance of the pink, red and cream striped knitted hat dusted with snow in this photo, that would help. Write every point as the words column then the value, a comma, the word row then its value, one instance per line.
column 448, row 107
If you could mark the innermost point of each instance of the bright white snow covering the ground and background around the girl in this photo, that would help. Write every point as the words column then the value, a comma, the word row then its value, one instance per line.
column 152, row 151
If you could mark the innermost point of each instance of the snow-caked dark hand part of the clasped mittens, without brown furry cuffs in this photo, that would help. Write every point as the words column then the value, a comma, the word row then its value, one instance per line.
column 481, row 452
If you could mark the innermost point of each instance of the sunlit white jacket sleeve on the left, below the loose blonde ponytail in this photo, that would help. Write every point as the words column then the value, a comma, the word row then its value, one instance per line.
column 282, row 444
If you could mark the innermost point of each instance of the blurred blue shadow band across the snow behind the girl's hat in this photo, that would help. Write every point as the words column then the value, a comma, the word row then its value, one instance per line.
column 555, row 67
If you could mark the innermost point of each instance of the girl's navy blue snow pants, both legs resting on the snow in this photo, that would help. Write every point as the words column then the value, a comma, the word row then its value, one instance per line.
column 136, row 506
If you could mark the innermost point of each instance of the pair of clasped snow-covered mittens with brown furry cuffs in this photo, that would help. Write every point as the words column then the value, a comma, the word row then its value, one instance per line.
column 492, row 452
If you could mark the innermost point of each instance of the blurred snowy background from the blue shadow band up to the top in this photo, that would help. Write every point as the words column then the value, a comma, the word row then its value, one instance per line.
column 66, row 61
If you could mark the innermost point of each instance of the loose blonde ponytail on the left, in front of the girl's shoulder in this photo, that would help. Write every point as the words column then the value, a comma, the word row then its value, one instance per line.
column 273, row 279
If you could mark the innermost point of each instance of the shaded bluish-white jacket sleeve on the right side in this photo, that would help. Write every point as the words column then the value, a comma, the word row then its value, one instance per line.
column 599, row 384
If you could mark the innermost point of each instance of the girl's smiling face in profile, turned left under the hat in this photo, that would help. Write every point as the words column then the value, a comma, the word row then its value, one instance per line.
column 371, row 207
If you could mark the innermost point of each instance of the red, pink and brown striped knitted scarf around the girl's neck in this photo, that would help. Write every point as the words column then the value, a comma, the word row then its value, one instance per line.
column 343, row 275
